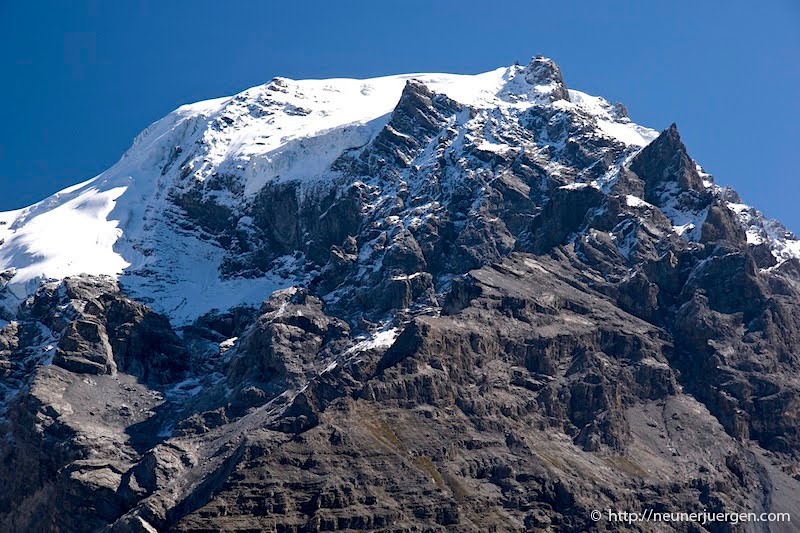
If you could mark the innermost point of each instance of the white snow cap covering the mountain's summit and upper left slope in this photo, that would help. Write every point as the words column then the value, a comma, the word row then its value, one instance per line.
column 132, row 218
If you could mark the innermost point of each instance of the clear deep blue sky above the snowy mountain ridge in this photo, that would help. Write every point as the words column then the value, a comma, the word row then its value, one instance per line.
column 79, row 83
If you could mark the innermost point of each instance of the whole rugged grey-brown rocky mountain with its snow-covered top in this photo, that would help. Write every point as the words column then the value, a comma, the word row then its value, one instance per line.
column 415, row 303
